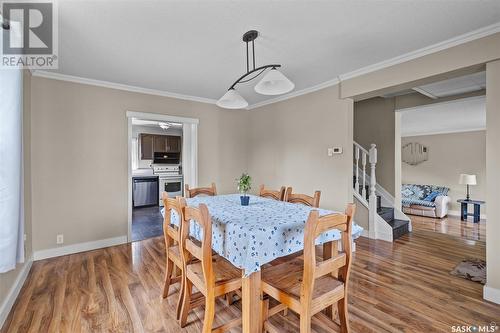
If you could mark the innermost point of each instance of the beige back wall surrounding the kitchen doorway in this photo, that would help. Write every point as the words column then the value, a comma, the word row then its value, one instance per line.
column 79, row 156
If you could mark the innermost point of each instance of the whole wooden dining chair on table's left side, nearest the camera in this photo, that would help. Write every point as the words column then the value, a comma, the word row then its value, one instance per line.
column 213, row 276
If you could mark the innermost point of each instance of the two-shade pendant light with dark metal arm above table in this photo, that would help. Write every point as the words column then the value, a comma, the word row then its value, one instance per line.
column 273, row 82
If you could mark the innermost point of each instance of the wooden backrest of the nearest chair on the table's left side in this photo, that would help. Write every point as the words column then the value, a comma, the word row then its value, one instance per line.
column 194, row 248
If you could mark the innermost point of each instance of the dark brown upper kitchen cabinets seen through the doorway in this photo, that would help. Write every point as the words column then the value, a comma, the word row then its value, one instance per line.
column 151, row 143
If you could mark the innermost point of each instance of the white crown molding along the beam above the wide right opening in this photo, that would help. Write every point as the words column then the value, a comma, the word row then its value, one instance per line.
column 449, row 43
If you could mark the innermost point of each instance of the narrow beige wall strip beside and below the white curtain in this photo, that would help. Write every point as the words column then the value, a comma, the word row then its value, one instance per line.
column 8, row 279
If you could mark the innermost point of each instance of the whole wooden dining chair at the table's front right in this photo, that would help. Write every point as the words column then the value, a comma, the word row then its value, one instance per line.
column 306, row 286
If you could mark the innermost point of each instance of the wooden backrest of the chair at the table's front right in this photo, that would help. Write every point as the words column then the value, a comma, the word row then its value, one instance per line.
column 337, row 264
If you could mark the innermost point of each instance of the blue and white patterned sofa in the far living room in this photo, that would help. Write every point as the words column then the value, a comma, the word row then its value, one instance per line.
column 425, row 200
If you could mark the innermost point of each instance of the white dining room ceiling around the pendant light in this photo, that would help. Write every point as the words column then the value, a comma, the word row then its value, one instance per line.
column 194, row 48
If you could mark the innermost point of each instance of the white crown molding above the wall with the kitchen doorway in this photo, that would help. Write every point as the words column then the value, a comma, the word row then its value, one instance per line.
column 119, row 86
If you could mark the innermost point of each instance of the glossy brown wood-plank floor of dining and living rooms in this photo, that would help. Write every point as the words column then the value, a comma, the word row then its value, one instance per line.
column 403, row 286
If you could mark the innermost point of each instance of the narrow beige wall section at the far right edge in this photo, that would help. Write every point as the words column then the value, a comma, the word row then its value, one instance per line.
column 492, row 168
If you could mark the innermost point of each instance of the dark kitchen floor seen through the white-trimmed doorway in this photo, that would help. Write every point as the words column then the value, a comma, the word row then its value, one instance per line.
column 147, row 222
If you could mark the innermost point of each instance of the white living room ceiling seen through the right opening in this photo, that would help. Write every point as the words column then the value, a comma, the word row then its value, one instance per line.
column 447, row 117
